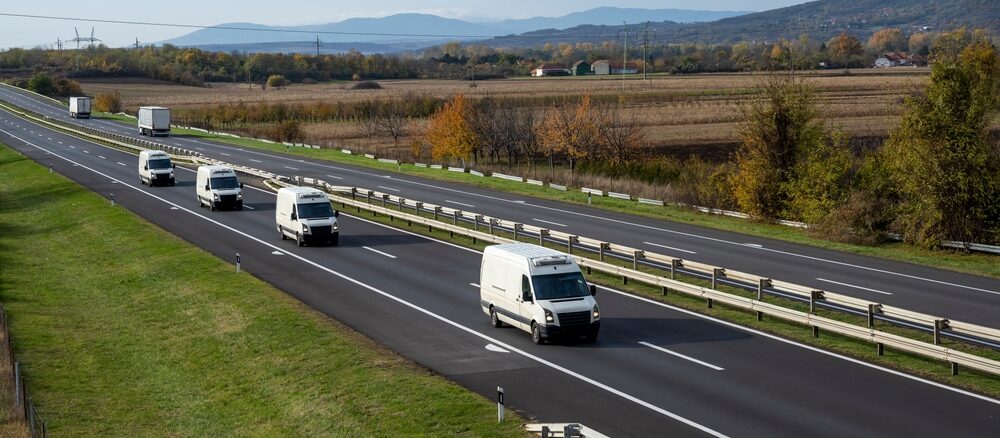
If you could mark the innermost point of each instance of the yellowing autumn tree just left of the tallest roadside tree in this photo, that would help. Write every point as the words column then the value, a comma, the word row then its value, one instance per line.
column 776, row 128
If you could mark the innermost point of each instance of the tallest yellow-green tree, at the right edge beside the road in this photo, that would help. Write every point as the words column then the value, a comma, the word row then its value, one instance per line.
column 943, row 162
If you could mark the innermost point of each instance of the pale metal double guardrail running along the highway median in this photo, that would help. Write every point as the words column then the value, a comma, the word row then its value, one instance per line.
column 606, row 252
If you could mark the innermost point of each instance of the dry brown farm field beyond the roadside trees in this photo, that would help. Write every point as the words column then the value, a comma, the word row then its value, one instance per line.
column 683, row 115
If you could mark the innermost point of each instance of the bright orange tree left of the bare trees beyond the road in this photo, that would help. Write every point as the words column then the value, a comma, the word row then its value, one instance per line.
column 450, row 133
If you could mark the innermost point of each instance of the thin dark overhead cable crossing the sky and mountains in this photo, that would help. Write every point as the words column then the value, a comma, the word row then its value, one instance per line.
column 313, row 32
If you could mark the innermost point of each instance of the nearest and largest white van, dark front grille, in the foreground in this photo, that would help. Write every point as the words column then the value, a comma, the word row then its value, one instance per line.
column 538, row 290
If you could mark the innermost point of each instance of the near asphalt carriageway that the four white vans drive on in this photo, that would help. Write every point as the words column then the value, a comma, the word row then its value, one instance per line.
column 654, row 371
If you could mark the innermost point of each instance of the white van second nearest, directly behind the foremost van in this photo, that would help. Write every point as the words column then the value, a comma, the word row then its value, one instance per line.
column 305, row 214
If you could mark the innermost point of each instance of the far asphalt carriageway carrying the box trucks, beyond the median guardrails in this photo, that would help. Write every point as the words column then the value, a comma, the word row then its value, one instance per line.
column 939, row 292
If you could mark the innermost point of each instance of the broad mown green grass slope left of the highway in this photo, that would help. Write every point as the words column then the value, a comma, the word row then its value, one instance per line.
column 126, row 330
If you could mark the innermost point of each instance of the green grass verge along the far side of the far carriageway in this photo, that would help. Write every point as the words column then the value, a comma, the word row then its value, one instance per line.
column 972, row 263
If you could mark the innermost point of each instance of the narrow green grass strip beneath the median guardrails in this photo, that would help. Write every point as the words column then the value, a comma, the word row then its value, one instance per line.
column 912, row 364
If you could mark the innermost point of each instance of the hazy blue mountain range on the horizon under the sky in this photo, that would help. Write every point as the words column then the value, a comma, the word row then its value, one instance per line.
column 430, row 27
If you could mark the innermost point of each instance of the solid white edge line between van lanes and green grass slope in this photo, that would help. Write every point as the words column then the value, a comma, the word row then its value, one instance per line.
column 406, row 303
